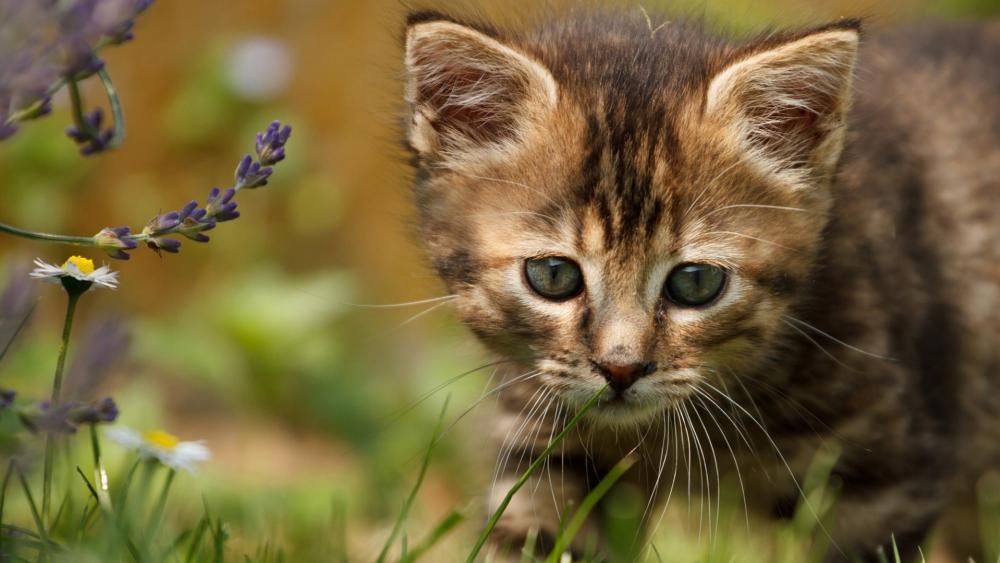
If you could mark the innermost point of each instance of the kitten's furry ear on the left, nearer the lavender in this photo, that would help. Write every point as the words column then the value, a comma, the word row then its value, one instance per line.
column 468, row 92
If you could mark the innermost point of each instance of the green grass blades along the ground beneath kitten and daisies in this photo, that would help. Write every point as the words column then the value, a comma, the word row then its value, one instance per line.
column 139, row 519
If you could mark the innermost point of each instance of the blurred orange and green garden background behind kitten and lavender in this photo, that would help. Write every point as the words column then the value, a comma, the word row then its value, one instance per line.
column 255, row 342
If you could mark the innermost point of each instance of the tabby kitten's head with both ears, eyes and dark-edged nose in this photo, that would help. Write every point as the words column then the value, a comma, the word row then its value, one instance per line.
column 615, row 202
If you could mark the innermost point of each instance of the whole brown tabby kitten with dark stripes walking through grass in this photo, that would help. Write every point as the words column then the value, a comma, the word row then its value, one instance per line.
column 751, row 262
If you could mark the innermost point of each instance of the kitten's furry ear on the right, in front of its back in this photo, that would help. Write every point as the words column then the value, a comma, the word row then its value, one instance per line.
column 786, row 105
